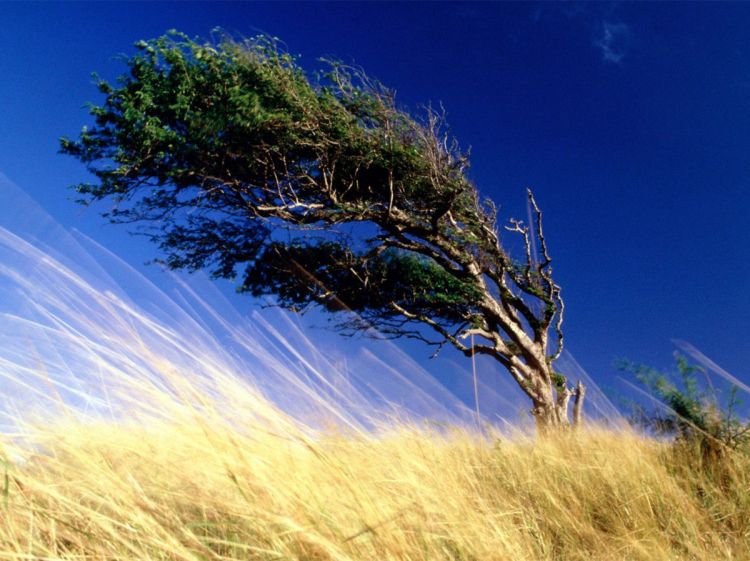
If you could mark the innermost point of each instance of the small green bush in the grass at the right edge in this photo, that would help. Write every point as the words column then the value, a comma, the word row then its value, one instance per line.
column 692, row 414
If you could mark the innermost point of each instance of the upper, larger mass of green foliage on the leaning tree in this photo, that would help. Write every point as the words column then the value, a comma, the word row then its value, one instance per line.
column 191, row 119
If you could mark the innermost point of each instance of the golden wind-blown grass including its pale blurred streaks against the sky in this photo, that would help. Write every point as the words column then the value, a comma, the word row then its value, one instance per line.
column 140, row 436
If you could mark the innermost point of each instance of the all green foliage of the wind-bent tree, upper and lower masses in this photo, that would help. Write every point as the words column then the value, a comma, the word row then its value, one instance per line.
column 220, row 145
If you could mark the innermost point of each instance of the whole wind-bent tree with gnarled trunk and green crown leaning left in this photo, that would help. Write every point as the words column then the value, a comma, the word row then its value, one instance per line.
column 323, row 192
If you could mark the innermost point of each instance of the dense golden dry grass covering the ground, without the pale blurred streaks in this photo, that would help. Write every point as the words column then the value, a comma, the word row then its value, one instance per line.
column 196, row 488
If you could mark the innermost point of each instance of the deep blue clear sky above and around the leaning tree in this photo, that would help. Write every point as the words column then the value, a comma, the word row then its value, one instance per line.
column 631, row 122
